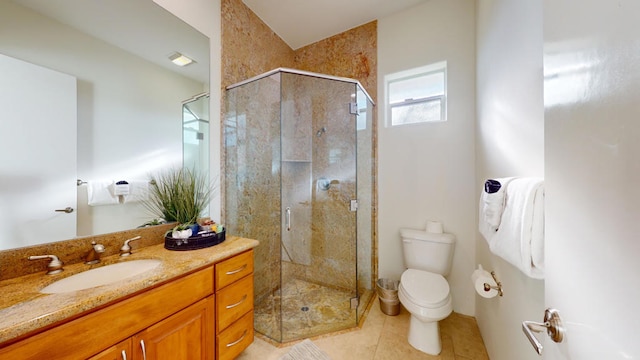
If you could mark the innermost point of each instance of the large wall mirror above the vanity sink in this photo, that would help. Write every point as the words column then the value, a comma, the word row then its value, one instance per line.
column 125, row 107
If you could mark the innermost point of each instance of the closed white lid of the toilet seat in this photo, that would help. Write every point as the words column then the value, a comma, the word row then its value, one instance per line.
column 424, row 288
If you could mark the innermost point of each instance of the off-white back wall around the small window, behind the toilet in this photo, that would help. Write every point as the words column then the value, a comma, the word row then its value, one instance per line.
column 426, row 171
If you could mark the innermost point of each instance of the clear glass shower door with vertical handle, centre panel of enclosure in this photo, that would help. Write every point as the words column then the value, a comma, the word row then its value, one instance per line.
column 318, row 168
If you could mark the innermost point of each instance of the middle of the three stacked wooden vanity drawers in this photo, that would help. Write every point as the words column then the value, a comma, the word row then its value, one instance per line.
column 233, row 302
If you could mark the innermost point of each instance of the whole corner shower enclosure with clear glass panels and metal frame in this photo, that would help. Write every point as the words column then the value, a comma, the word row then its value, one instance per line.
column 299, row 178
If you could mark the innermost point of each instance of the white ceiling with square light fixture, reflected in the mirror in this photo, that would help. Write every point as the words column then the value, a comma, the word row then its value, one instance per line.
column 139, row 27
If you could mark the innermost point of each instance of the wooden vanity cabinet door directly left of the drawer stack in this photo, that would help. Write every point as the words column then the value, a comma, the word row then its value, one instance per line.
column 186, row 335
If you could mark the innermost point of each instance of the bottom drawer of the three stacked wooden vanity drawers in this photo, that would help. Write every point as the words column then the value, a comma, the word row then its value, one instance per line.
column 231, row 342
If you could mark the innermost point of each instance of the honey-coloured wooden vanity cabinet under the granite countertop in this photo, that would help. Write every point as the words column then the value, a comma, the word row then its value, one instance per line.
column 177, row 320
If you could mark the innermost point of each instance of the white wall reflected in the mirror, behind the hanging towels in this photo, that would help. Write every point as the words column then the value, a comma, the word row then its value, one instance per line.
column 119, row 96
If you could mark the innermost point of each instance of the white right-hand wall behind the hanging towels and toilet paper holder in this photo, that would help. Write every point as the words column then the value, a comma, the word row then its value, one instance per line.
column 510, row 142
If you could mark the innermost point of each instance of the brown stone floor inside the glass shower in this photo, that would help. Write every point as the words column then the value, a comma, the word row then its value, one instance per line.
column 307, row 310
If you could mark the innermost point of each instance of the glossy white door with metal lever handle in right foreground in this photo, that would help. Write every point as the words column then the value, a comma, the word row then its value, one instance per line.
column 591, row 92
